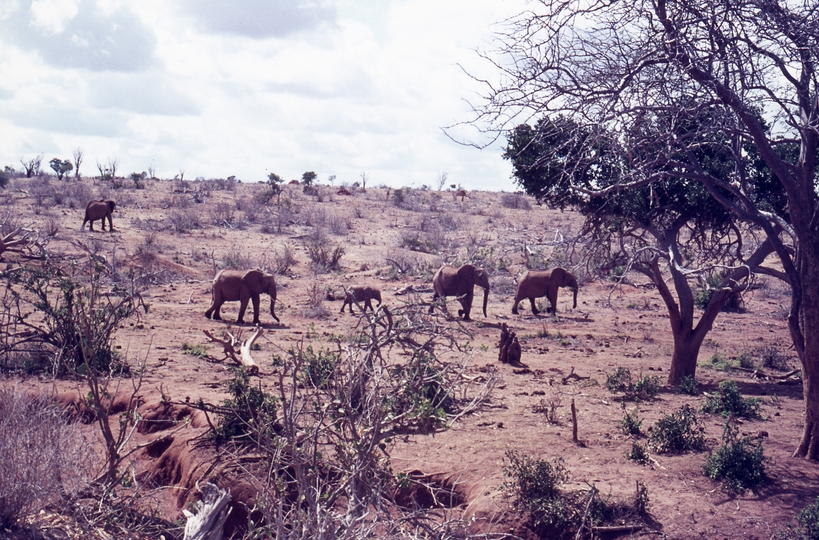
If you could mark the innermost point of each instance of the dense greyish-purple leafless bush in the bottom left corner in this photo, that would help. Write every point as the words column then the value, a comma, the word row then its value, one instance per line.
column 42, row 456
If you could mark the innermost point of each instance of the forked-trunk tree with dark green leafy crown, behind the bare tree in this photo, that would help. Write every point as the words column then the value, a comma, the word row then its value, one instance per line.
column 670, row 228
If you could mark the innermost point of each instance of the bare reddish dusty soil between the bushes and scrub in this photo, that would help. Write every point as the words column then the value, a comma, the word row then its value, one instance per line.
column 624, row 326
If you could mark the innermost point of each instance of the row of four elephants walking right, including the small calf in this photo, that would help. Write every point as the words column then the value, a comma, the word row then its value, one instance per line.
column 247, row 286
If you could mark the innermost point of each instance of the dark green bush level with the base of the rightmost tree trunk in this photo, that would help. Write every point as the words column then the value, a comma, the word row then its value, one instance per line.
column 738, row 463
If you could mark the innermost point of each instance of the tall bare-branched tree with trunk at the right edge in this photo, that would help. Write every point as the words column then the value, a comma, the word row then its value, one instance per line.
column 613, row 64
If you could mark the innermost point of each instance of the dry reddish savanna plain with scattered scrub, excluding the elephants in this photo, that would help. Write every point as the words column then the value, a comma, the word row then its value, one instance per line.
column 397, row 423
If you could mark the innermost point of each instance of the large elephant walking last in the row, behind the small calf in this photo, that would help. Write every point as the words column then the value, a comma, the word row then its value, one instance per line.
column 242, row 285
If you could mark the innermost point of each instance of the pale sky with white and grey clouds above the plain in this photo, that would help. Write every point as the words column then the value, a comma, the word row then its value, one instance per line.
column 246, row 87
